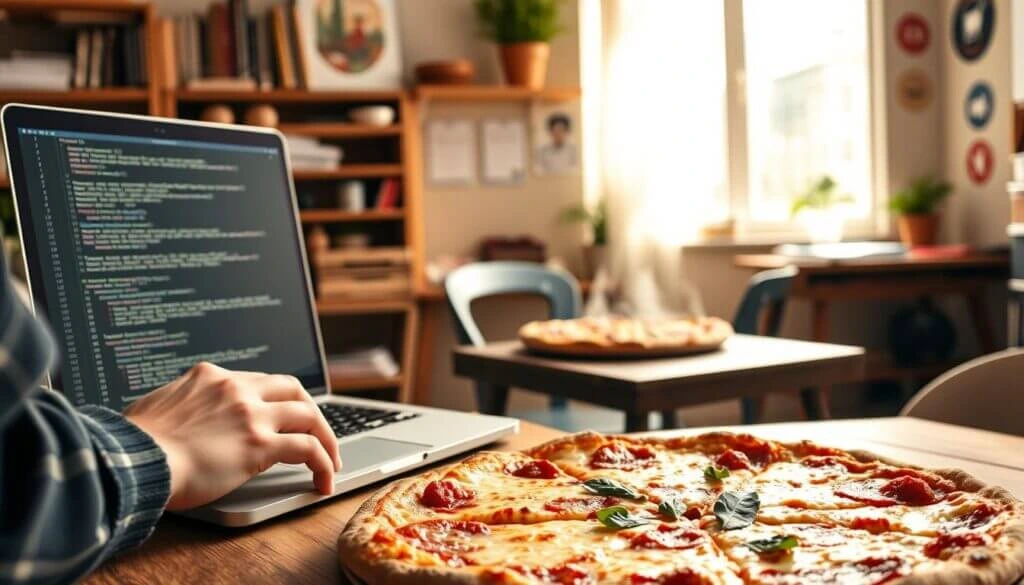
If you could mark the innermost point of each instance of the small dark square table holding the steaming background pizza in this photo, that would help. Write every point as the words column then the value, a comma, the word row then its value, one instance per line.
column 747, row 366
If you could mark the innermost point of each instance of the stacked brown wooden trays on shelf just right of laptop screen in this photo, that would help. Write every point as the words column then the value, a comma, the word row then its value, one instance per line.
column 372, row 273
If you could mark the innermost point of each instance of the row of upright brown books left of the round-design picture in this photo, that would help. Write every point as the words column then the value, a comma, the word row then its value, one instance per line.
column 231, row 49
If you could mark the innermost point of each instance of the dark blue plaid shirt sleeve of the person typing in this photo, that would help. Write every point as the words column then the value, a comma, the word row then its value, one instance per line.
column 75, row 486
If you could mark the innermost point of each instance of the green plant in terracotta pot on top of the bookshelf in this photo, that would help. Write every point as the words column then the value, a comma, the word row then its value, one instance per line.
column 523, row 30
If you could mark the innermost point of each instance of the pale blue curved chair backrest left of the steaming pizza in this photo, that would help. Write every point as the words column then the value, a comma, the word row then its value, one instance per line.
column 481, row 280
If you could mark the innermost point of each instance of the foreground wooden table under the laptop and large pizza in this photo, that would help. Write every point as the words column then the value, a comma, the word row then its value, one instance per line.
column 300, row 550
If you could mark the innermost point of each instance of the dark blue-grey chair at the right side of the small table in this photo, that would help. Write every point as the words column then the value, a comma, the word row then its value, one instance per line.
column 760, row 313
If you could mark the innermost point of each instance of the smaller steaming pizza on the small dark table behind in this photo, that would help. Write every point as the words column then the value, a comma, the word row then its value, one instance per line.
column 624, row 337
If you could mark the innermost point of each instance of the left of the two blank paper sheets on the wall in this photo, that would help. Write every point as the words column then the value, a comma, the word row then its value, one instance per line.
column 451, row 152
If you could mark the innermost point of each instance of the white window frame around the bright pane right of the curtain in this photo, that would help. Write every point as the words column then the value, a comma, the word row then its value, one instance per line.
column 877, row 225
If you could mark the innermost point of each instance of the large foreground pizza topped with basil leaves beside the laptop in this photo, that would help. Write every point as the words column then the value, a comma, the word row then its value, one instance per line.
column 710, row 510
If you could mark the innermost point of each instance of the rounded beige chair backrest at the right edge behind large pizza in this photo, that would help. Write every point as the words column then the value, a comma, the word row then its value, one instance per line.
column 983, row 394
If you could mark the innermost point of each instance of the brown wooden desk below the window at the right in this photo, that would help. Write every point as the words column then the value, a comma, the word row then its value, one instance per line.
column 824, row 282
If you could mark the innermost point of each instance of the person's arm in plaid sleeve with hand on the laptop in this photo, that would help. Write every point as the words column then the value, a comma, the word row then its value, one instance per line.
column 79, row 486
